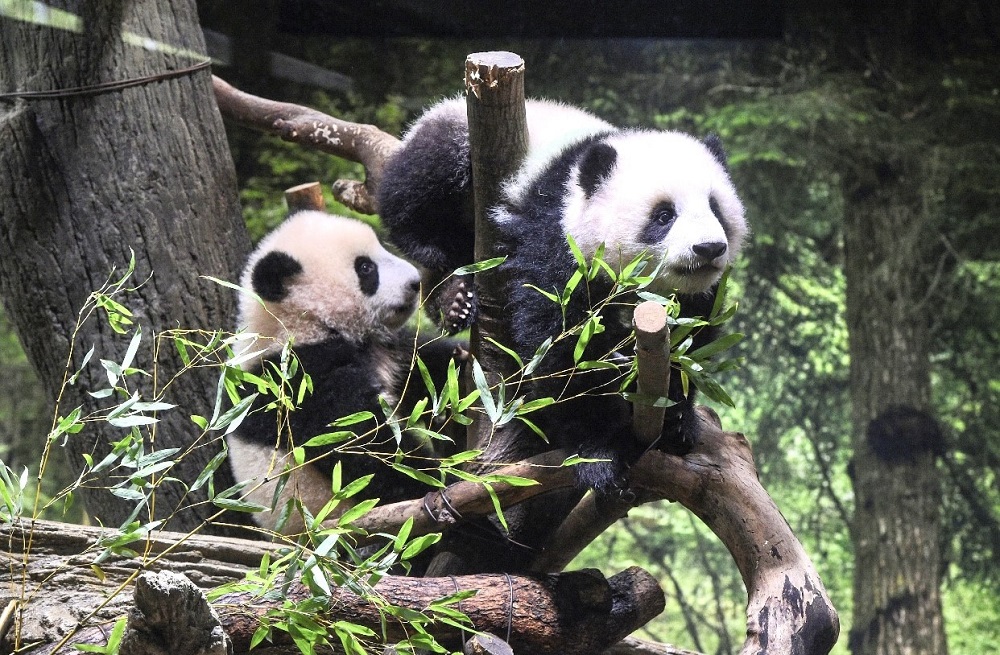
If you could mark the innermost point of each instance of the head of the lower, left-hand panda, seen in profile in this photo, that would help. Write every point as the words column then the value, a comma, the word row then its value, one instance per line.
column 319, row 274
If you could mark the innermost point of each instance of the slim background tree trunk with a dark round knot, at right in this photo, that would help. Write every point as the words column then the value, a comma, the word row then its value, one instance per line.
column 896, row 528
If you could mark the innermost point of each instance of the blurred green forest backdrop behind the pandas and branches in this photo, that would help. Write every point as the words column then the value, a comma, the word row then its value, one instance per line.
column 803, row 117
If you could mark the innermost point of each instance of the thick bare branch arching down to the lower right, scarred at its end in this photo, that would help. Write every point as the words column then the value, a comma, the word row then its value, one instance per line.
column 788, row 609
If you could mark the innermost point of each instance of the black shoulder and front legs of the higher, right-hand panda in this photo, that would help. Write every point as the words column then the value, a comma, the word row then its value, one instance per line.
column 602, row 415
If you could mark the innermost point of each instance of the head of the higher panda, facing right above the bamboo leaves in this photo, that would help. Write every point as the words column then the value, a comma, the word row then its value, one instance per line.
column 661, row 193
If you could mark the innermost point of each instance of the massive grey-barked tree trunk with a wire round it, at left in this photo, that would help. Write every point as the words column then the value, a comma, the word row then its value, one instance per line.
column 94, row 173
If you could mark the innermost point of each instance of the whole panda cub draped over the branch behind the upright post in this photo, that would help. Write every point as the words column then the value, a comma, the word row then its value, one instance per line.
column 665, row 194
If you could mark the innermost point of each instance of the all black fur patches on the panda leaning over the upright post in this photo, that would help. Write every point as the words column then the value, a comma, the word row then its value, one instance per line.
column 425, row 200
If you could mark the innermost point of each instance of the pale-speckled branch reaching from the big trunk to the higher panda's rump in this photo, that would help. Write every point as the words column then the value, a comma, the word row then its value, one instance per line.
column 354, row 141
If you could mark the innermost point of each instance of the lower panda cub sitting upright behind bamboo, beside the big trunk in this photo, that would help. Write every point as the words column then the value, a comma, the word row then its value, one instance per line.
column 328, row 288
